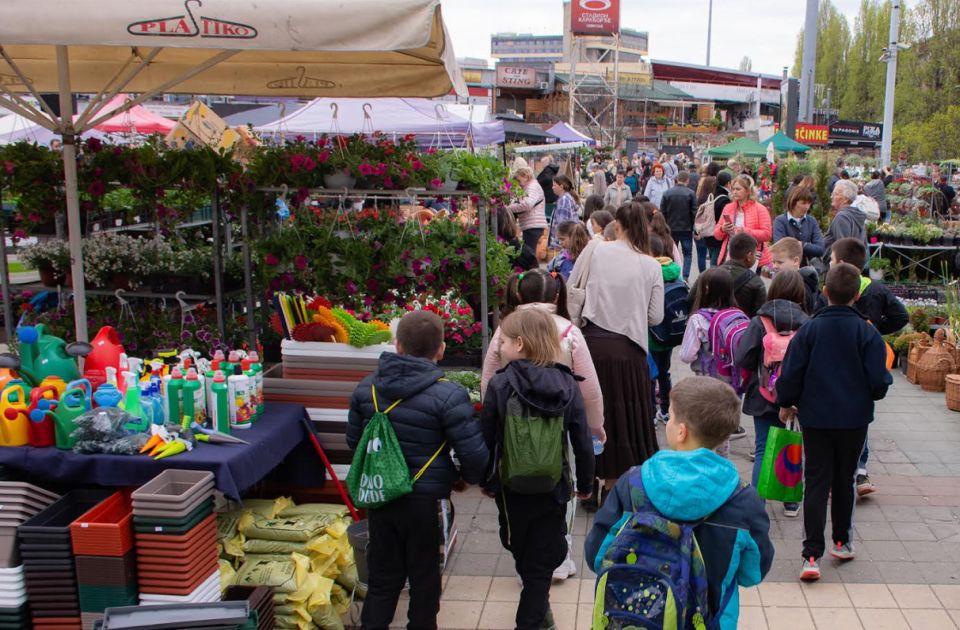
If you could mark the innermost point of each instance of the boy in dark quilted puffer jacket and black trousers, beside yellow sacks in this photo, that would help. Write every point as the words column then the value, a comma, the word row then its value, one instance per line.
column 405, row 533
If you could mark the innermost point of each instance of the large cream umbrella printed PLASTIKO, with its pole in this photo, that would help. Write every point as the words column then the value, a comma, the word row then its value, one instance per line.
column 281, row 48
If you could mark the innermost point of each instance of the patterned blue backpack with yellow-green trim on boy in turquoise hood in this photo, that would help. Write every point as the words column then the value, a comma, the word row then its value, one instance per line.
column 651, row 574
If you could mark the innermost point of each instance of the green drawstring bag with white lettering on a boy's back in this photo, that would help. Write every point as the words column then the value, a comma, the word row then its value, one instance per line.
column 379, row 472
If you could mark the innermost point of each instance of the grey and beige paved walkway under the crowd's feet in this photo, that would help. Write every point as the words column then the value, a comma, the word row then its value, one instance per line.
column 906, row 575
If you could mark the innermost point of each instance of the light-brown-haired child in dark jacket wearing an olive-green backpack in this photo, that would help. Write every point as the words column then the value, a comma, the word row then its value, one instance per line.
column 531, row 408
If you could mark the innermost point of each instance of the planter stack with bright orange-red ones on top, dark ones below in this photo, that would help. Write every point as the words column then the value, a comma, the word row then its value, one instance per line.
column 106, row 565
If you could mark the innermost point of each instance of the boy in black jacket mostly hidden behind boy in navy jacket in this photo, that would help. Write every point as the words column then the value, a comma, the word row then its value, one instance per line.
column 881, row 308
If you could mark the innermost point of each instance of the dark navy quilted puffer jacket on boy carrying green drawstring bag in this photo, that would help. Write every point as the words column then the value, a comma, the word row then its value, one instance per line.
column 431, row 411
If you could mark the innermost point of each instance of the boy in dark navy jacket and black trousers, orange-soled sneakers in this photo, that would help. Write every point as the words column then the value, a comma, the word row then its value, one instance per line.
column 834, row 407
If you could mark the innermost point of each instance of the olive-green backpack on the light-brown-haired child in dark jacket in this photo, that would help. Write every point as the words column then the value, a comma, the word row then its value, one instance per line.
column 532, row 457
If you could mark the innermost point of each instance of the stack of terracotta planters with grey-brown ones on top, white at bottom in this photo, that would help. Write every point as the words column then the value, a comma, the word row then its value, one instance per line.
column 176, row 538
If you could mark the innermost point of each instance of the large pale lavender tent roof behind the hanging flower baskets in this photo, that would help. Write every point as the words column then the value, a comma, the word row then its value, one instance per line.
column 432, row 123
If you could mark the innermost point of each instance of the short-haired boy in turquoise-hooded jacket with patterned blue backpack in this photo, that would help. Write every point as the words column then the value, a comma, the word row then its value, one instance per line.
column 684, row 512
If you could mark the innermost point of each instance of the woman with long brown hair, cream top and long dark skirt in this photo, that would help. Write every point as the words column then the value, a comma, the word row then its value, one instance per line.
column 615, row 294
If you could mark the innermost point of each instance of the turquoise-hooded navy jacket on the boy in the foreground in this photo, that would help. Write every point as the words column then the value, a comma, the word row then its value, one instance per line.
column 688, row 486
